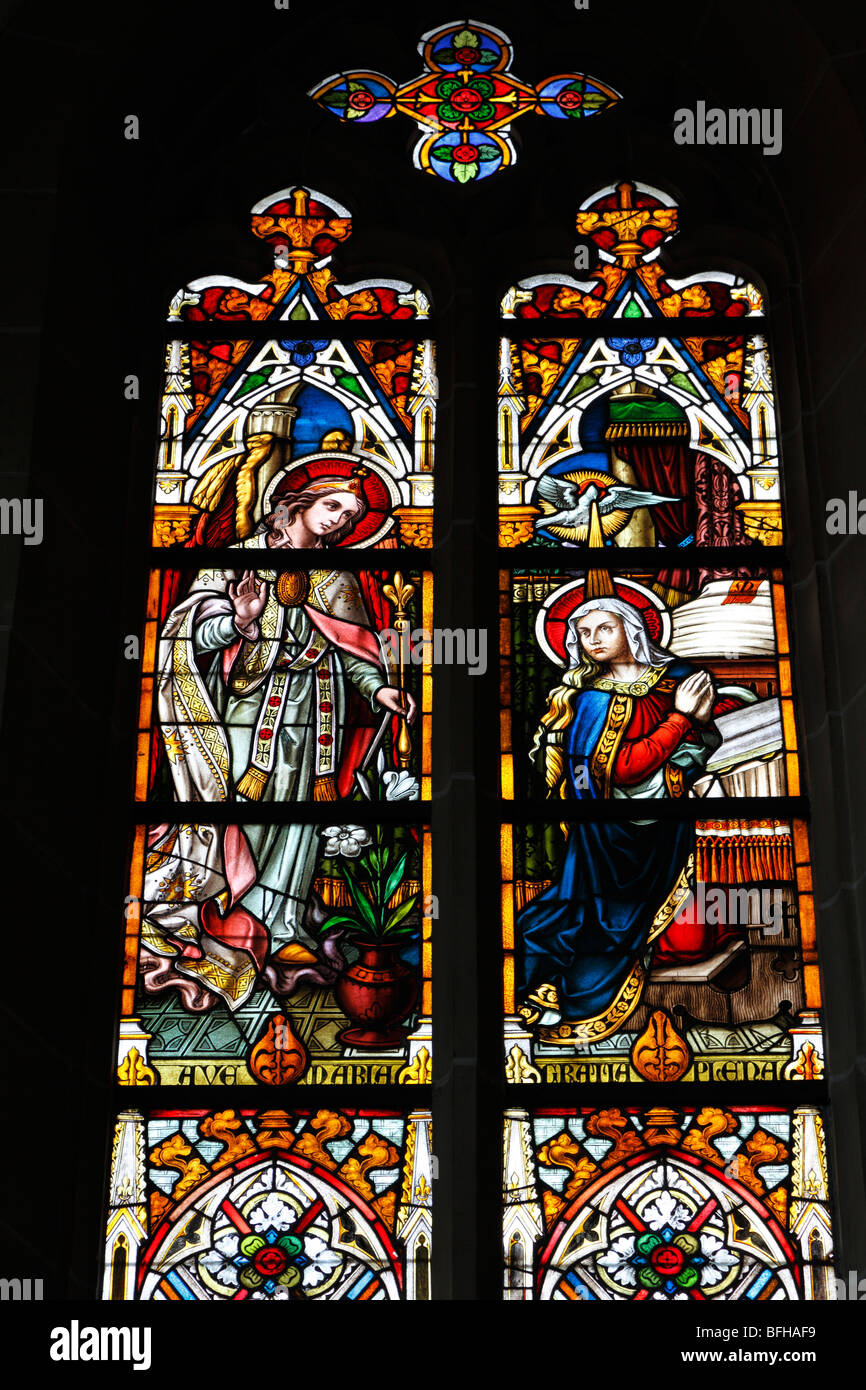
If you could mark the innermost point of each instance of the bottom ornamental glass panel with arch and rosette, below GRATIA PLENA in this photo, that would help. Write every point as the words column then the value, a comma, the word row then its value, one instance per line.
column 711, row 1203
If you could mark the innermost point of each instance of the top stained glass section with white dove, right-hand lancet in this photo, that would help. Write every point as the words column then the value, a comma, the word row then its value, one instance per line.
column 646, row 434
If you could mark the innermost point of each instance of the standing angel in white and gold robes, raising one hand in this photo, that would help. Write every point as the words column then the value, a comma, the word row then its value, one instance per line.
column 262, row 678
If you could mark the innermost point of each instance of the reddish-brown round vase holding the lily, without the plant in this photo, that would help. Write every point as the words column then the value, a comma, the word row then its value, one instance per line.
column 376, row 995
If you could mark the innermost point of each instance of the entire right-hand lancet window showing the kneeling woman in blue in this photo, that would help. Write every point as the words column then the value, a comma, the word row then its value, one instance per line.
column 658, row 917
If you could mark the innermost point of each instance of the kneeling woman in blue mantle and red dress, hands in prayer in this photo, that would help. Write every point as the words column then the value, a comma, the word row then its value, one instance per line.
column 629, row 721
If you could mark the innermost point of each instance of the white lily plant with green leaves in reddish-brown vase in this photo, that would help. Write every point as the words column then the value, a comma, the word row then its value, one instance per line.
column 377, row 990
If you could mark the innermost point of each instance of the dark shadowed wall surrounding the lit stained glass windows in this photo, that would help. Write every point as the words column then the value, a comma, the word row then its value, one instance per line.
column 98, row 233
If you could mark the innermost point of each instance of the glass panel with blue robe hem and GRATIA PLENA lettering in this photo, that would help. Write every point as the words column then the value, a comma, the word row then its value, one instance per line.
column 705, row 976
